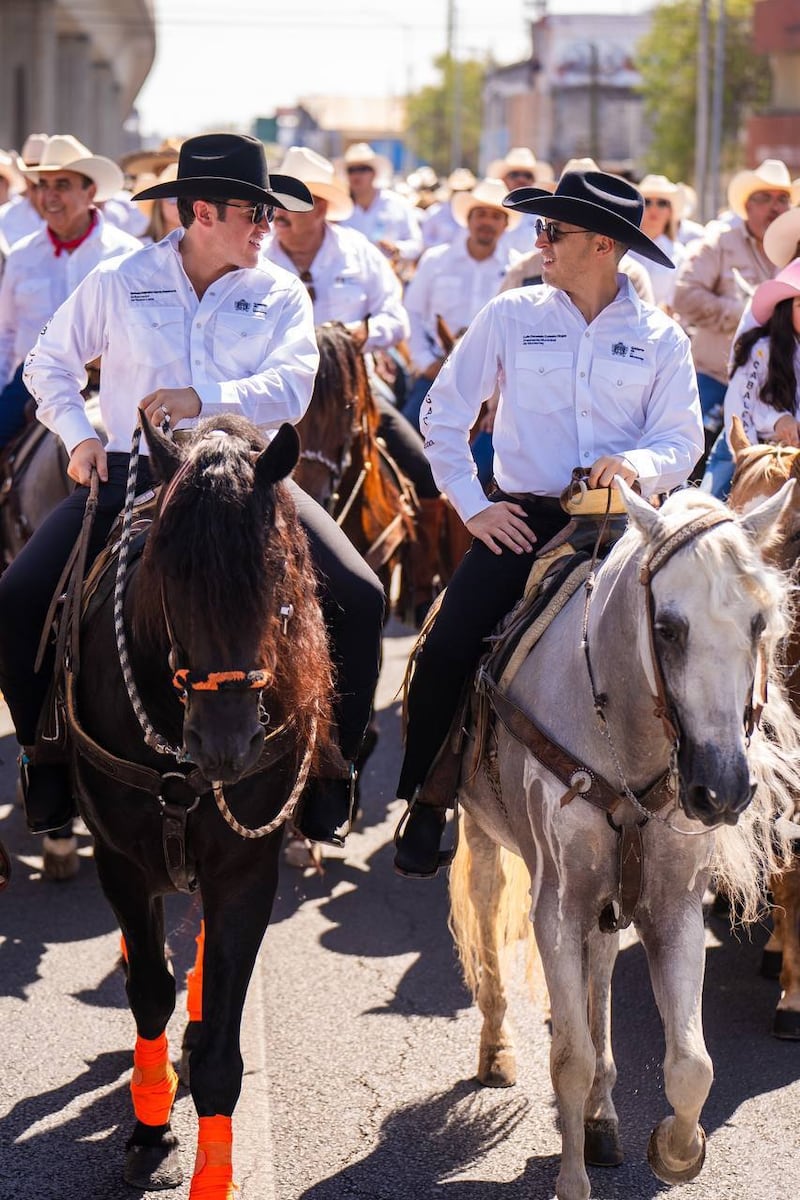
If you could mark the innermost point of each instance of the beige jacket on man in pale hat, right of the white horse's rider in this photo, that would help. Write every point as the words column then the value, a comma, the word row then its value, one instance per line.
column 714, row 284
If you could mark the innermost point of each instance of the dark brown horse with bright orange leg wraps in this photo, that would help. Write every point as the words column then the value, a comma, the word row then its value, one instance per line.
column 228, row 656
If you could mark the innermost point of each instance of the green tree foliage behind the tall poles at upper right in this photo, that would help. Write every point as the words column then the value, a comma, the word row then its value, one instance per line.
column 667, row 61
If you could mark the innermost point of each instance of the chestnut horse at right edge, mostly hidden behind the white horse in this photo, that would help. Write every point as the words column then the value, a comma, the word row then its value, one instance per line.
column 761, row 472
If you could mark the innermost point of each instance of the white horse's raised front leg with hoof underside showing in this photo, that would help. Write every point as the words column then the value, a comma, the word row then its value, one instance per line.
column 675, row 940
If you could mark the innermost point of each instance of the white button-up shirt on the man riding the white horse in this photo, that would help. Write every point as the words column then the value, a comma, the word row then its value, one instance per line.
column 570, row 393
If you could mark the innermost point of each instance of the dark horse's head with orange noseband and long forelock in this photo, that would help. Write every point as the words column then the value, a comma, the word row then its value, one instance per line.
column 221, row 580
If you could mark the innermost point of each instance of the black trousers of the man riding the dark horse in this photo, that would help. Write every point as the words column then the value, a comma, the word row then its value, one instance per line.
column 352, row 597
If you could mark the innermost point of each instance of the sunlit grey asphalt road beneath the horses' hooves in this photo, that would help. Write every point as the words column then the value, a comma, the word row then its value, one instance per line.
column 359, row 1042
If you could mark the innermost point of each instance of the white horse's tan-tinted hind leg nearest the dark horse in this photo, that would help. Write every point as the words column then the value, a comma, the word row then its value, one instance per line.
column 480, row 951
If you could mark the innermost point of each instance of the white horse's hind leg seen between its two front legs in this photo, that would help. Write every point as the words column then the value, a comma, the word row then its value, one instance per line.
column 603, row 1143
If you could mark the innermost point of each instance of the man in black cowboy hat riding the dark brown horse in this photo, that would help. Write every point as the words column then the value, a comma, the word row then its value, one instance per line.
column 194, row 325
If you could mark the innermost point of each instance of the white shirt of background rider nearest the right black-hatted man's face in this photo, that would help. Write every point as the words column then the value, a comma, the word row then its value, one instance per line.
column 450, row 284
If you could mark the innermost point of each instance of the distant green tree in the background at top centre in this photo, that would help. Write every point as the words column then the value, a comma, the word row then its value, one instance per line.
column 430, row 116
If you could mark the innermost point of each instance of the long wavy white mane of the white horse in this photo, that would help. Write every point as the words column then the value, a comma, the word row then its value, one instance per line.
column 747, row 855
